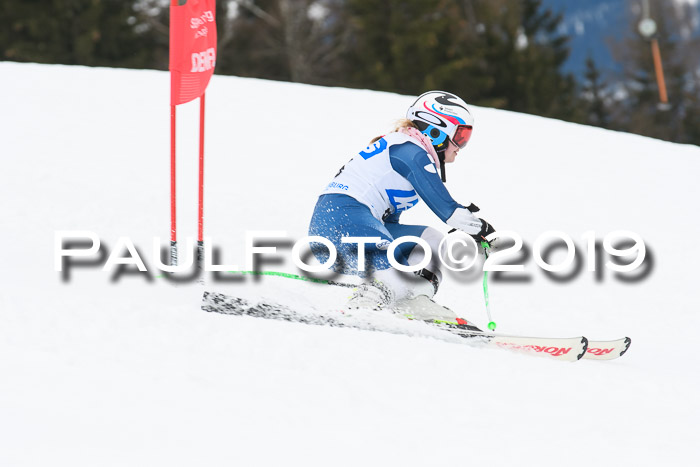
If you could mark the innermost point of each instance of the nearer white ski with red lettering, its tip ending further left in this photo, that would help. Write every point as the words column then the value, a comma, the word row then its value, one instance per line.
column 565, row 349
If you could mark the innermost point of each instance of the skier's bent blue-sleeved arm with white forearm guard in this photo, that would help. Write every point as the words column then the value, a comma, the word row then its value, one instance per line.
column 413, row 163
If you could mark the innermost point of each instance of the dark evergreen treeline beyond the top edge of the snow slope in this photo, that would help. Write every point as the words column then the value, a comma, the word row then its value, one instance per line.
column 496, row 53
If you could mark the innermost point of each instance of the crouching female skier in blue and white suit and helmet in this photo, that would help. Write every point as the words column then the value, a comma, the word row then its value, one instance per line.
column 368, row 195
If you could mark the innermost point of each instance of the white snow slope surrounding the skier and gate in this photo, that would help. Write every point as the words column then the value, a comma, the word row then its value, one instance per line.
column 104, row 370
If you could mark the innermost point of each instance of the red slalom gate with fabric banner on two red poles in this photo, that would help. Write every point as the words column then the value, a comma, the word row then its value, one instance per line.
column 192, row 61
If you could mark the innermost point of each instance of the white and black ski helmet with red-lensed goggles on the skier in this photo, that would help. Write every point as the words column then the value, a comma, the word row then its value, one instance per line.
column 441, row 116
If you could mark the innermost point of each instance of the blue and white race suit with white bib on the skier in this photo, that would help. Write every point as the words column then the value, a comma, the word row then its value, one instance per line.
column 368, row 195
